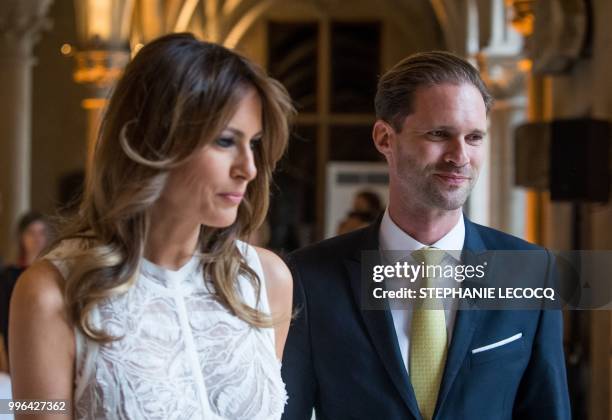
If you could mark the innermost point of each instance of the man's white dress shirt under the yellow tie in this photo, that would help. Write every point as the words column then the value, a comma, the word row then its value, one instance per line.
column 392, row 238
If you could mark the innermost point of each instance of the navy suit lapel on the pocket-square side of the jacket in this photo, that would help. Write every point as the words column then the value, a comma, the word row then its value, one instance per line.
column 466, row 321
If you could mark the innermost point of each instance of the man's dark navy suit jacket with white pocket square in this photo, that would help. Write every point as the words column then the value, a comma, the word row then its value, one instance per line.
column 345, row 361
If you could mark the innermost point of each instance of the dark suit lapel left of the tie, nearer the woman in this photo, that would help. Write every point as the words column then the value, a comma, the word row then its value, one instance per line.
column 380, row 327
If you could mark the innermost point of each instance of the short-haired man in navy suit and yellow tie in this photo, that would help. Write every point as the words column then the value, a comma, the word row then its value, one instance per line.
column 351, row 362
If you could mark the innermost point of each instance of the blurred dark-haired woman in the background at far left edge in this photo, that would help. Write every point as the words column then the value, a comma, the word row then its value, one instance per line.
column 32, row 238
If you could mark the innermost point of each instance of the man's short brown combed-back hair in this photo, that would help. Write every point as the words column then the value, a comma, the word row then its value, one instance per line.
column 396, row 88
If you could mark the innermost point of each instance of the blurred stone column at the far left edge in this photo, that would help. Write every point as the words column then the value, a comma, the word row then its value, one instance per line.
column 22, row 21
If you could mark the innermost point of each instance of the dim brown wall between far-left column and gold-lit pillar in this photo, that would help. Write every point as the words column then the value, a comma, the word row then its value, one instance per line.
column 58, row 121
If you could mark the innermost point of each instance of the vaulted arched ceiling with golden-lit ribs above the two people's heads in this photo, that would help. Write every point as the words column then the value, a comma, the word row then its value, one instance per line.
column 227, row 21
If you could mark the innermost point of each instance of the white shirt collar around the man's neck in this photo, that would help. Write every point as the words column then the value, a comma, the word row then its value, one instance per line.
column 393, row 238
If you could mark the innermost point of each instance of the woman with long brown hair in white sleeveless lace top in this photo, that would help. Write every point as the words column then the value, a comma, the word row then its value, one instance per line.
column 149, row 306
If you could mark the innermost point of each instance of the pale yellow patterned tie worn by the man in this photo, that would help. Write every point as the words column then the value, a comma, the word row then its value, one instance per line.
column 428, row 342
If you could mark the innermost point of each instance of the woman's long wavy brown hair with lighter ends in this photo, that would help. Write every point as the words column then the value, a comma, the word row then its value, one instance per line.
column 176, row 96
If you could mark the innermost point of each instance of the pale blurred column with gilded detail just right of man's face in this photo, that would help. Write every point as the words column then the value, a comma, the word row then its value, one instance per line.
column 496, row 201
